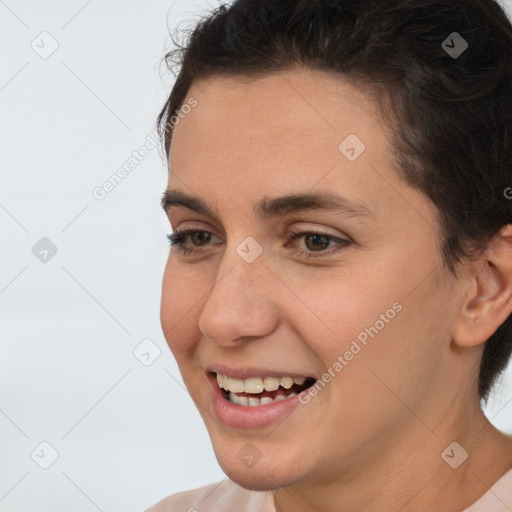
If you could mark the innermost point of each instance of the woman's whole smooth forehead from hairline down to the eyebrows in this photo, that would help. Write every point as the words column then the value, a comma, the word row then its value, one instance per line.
column 252, row 137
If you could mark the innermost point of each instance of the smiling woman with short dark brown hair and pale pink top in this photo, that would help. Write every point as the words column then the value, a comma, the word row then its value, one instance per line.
column 338, row 294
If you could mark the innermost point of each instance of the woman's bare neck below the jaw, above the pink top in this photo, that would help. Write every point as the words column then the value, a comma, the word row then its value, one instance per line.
column 409, row 474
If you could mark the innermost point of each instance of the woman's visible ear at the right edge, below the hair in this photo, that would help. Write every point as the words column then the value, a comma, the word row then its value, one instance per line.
column 488, row 302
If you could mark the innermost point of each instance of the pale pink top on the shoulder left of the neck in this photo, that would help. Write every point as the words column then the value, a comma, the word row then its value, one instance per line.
column 224, row 496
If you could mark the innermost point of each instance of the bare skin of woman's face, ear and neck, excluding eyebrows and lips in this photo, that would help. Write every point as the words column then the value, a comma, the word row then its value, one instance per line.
column 372, row 438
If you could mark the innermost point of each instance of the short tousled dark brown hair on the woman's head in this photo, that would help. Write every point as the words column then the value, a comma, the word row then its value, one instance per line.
column 451, row 114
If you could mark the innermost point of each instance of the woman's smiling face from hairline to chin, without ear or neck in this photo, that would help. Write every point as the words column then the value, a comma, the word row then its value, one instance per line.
column 365, row 301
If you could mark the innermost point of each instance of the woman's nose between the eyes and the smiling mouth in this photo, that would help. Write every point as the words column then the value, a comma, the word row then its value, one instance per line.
column 241, row 305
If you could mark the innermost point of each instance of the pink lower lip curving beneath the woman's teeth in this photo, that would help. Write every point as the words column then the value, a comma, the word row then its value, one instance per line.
column 239, row 416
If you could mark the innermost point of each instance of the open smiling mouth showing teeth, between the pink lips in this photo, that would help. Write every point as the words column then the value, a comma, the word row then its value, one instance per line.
column 258, row 391
